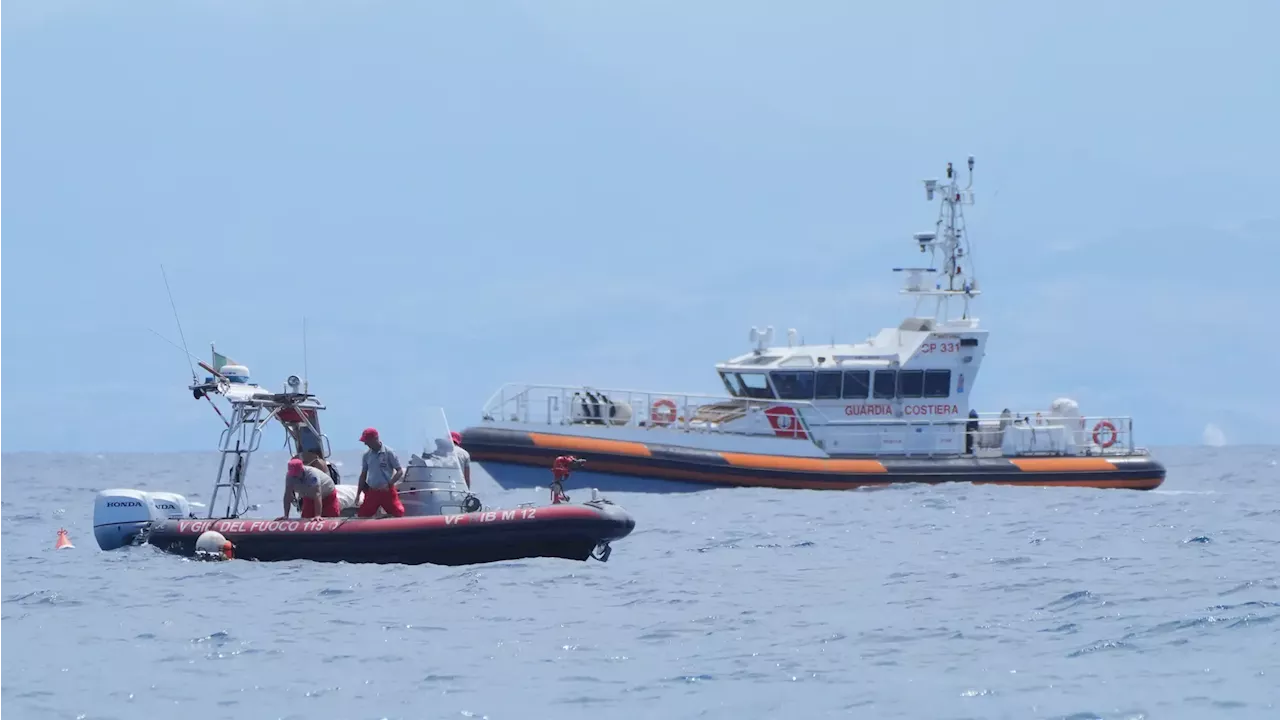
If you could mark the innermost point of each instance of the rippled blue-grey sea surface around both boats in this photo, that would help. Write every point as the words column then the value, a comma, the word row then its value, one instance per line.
column 924, row 603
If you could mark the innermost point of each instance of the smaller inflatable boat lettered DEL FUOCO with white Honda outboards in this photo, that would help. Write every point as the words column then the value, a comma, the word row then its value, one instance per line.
column 445, row 523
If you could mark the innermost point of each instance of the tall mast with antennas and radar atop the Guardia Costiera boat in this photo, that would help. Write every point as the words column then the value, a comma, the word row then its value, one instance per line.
column 952, row 243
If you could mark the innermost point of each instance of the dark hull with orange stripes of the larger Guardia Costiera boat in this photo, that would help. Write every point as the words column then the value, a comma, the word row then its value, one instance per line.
column 504, row 453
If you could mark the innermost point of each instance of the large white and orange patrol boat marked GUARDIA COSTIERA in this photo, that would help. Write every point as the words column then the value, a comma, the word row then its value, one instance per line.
column 892, row 409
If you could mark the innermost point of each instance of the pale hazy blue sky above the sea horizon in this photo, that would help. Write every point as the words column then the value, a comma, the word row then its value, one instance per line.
column 461, row 195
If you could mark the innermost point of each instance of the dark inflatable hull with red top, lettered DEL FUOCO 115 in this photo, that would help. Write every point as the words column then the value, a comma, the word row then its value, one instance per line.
column 570, row 532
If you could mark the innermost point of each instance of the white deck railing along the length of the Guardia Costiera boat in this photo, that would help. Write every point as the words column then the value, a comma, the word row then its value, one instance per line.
column 1031, row 432
